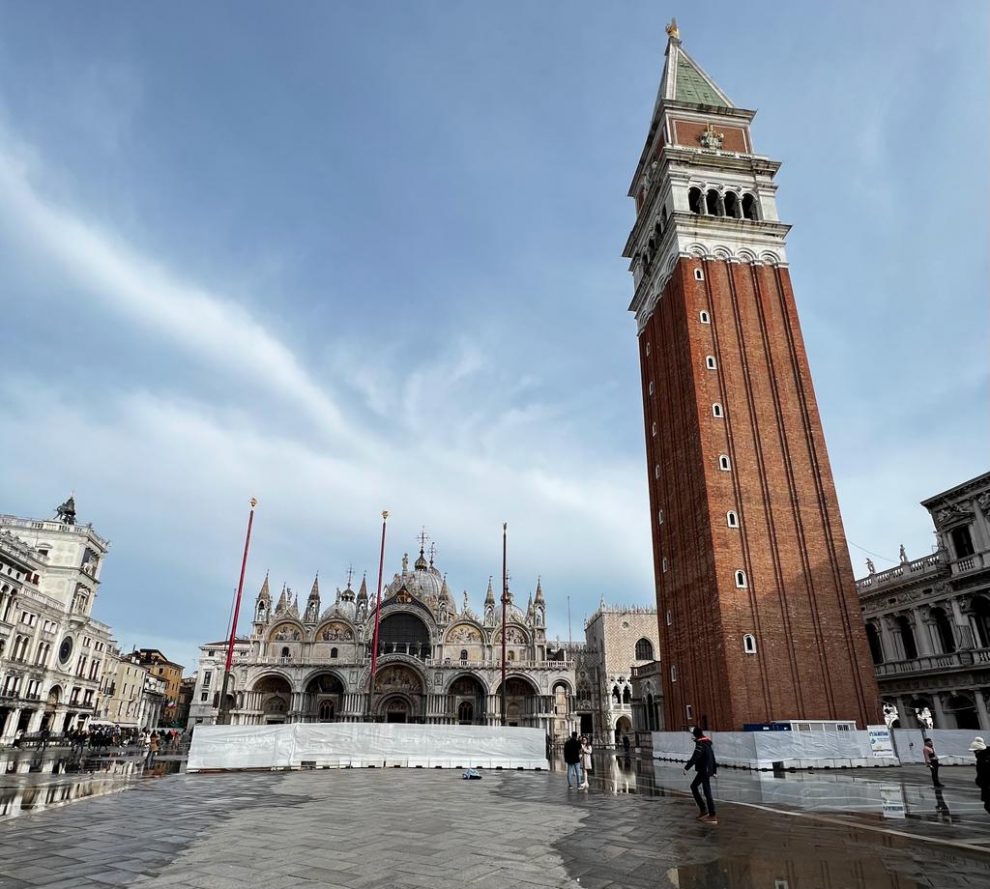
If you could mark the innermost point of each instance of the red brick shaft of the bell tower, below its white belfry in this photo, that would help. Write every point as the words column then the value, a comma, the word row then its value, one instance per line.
column 812, row 658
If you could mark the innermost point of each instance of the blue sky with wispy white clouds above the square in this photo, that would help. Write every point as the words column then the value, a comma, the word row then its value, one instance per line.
column 353, row 257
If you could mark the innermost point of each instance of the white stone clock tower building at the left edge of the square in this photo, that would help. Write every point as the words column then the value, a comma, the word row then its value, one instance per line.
column 52, row 651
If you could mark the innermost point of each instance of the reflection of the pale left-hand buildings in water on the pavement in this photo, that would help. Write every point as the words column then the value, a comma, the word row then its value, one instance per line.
column 31, row 781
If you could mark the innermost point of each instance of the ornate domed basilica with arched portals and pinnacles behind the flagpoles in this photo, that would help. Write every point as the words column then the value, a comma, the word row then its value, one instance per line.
column 439, row 661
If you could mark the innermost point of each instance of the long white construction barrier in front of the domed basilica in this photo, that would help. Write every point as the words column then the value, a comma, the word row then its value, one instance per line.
column 360, row 744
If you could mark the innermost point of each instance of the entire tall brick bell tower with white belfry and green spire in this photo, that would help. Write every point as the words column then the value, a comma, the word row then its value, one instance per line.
column 759, row 619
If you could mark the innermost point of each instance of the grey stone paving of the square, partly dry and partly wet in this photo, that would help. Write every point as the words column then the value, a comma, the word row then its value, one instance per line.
column 419, row 828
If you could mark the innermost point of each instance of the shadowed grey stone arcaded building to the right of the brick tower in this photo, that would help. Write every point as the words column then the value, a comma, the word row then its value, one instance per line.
column 928, row 619
